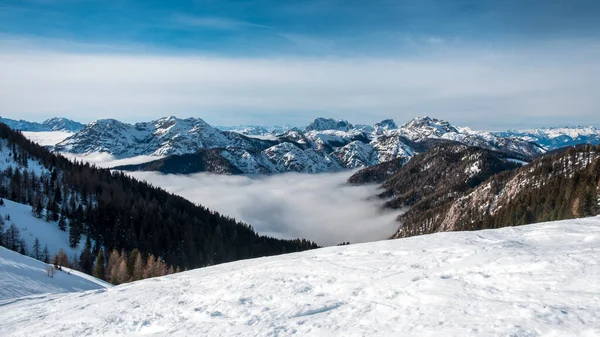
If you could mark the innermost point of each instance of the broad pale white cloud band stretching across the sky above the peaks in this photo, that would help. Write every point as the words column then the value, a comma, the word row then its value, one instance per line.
column 530, row 86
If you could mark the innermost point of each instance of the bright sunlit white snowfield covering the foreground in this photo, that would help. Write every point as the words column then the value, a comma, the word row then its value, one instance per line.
column 537, row 280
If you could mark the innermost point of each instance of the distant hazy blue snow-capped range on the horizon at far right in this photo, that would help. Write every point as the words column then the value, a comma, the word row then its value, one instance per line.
column 553, row 138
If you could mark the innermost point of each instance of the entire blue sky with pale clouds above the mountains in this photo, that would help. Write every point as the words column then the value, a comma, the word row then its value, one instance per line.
column 488, row 64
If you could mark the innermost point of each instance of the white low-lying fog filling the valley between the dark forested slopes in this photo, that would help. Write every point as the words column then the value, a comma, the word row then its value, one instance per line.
column 318, row 207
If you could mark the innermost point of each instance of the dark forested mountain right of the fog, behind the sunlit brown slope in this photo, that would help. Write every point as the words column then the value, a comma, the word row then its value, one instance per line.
column 435, row 177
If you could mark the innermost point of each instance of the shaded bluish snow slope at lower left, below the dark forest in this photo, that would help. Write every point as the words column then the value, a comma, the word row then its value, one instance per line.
column 24, row 276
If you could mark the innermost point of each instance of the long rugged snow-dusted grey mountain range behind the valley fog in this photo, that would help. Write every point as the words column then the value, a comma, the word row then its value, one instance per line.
column 325, row 145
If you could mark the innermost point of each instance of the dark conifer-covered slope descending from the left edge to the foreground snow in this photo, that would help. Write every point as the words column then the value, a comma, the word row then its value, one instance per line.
column 119, row 212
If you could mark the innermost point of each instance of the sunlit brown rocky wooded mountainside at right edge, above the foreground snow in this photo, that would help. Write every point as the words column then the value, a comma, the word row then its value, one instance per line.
column 553, row 187
